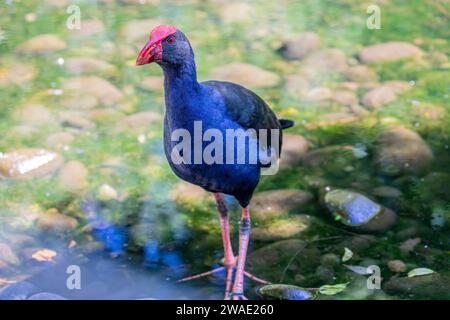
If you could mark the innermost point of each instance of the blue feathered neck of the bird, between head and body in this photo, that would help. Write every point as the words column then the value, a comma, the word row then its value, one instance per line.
column 180, row 82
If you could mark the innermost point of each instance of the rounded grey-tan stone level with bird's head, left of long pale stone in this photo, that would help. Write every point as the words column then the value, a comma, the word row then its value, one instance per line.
column 300, row 46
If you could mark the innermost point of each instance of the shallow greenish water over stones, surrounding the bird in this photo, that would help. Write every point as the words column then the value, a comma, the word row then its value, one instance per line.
column 364, row 175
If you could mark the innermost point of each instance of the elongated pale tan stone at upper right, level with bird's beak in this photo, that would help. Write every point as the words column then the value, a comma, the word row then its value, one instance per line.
column 389, row 51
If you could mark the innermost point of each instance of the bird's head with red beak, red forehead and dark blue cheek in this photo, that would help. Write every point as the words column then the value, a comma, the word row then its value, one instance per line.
column 167, row 46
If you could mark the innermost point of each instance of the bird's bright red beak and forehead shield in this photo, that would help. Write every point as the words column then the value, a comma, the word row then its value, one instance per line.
column 152, row 51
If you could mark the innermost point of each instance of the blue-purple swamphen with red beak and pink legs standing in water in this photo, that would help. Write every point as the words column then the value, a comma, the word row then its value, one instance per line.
column 220, row 106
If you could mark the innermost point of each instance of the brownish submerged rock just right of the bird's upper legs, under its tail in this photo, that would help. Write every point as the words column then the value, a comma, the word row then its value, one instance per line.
column 269, row 204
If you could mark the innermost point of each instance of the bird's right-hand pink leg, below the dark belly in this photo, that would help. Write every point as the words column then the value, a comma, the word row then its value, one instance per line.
column 244, row 235
